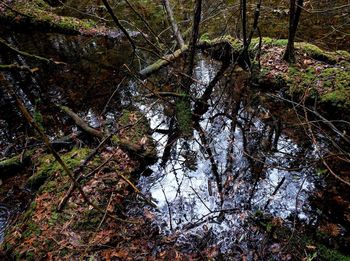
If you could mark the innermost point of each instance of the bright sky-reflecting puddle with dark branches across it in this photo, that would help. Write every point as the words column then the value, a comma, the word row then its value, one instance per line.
column 234, row 166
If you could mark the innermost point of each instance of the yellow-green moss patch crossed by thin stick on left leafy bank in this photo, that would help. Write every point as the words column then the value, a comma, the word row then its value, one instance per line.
column 47, row 166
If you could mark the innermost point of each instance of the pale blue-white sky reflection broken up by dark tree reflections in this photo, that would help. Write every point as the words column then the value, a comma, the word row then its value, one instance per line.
column 184, row 197
